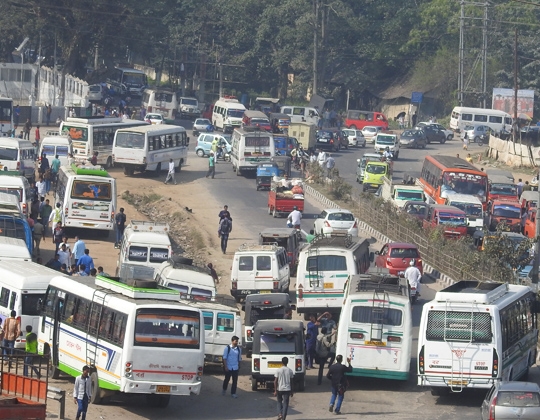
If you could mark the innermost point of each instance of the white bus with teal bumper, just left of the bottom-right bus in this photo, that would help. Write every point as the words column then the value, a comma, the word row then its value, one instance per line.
column 375, row 326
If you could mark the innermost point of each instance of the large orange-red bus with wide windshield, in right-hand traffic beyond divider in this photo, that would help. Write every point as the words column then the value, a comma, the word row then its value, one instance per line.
column 445, row 175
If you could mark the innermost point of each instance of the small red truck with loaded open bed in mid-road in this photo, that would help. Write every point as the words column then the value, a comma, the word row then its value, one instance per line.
column 284, row 196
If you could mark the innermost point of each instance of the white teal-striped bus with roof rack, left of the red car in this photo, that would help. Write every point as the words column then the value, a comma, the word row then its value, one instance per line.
column 324, row 266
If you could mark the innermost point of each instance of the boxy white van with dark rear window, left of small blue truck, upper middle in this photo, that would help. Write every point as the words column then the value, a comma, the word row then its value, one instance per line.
column 251, row 146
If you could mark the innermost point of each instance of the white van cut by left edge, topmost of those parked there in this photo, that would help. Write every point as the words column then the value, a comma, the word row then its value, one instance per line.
column 17, row 155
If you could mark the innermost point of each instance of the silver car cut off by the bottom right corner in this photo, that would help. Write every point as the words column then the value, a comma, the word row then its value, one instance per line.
column 512, row 400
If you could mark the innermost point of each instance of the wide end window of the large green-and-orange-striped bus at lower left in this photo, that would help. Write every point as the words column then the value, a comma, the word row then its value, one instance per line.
column 167, row 328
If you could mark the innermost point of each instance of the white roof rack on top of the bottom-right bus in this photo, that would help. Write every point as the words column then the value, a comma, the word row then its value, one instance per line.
column 472, row 291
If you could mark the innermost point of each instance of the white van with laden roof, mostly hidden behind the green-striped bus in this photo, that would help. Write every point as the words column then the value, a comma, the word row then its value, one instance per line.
column 180, row 274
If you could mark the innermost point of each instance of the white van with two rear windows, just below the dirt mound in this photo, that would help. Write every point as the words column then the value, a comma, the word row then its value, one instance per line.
column 145, row 244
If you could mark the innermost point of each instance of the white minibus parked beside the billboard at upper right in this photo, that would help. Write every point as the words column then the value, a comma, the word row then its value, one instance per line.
column 495, row 119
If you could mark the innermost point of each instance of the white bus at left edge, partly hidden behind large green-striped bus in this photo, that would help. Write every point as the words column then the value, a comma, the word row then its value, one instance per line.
column 22, row 285
